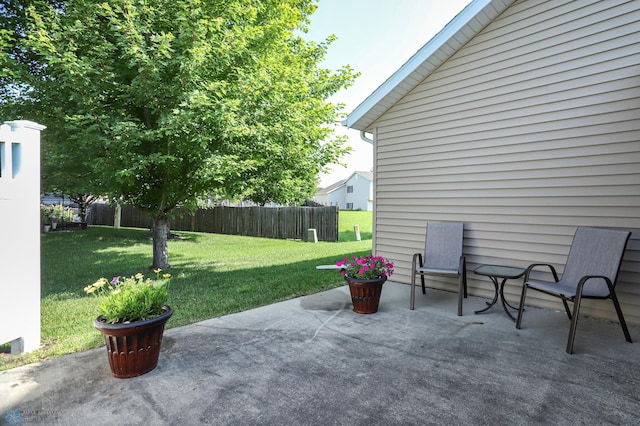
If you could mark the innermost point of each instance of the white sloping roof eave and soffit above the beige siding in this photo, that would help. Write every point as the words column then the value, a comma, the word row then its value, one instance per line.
column 466, row 25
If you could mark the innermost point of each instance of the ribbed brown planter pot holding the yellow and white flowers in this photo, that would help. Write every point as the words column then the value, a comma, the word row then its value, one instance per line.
column 133, row 349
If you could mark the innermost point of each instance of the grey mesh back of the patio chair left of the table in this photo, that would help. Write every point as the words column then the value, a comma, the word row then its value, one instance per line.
column 443, row 245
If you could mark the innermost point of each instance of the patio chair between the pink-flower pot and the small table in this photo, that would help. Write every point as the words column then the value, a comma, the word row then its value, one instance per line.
column 442, row 257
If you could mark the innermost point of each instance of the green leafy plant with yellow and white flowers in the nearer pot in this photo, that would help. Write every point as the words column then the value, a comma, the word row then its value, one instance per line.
column 130, row 299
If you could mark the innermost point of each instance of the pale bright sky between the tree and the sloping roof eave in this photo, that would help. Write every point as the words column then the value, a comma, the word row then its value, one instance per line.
column 374, row 37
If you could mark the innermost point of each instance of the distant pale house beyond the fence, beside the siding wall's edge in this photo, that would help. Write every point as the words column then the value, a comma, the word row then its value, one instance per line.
column 354, row 193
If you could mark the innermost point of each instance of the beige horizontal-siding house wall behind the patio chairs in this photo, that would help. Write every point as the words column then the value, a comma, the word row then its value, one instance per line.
column 525, row 133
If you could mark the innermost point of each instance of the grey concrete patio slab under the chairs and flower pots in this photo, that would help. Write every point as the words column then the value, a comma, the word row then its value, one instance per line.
column 313, row 361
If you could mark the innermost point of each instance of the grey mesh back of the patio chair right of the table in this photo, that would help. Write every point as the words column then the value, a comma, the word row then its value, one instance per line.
column 595, row 252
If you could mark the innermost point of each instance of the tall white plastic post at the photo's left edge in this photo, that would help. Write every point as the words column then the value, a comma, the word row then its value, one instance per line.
column 20, row 230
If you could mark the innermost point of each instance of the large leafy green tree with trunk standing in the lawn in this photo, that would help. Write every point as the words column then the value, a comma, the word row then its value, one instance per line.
column 159, row 102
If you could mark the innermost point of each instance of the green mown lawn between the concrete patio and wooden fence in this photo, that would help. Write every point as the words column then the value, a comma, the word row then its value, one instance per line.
column 212, row 275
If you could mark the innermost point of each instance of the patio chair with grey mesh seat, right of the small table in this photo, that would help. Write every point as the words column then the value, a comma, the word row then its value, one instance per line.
column 590, row 272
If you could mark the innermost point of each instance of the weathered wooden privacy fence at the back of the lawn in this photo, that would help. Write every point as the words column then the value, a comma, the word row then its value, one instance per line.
column 267, row 222
